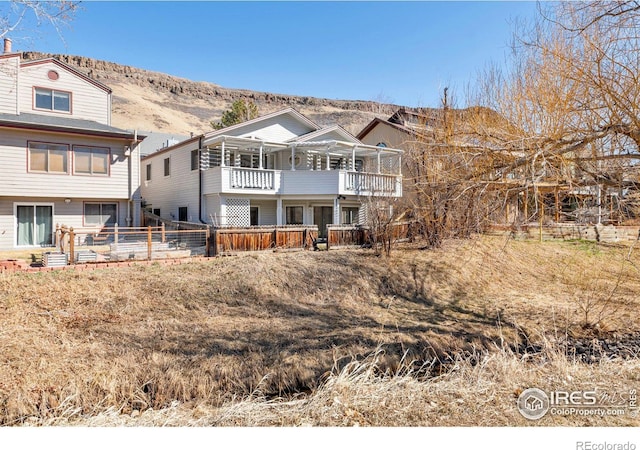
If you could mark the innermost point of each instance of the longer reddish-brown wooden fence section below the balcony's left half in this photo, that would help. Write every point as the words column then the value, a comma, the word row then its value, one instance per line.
column 228, row 240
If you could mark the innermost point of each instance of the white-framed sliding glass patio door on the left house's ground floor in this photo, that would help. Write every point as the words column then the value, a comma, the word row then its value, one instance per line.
column 34, row 225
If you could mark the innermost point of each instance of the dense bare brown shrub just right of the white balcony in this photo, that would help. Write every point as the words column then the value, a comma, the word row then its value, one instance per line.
column 448, row 183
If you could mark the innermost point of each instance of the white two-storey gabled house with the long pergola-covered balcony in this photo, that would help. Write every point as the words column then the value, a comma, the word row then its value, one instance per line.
column 278, row 169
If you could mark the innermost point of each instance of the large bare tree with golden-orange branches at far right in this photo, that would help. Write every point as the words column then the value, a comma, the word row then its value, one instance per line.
column 568, row 109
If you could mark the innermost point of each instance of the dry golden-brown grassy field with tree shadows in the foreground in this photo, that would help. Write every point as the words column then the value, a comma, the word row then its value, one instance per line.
column 425, row 337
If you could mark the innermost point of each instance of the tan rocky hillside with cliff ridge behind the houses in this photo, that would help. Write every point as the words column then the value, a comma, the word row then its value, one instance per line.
column 153, row 101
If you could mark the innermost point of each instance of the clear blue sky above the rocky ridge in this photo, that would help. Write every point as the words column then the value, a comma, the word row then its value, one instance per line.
column 402, row 52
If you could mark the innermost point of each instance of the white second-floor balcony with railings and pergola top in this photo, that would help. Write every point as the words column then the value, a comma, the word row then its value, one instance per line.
column 246, row 166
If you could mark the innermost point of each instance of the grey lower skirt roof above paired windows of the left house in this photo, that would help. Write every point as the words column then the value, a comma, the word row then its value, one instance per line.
column 64, row 125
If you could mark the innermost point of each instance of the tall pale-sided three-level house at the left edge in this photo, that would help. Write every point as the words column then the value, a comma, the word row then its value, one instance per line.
column 61, row 160
